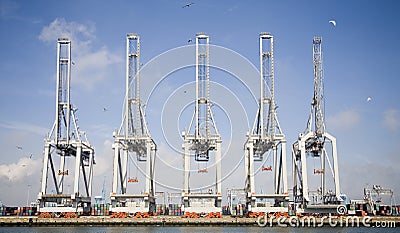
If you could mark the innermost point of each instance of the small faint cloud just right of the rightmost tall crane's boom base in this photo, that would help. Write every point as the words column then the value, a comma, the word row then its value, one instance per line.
column 343, row 120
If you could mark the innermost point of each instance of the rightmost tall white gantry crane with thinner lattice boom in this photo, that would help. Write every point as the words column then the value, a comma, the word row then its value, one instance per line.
column 318, row 145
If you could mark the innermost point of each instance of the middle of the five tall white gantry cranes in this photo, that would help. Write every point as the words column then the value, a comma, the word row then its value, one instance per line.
column 202, row 137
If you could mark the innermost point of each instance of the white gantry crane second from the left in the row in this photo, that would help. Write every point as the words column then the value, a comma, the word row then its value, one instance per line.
column 132, row 142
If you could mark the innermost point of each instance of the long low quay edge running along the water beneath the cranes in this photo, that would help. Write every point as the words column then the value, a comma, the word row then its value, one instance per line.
column 335, row 221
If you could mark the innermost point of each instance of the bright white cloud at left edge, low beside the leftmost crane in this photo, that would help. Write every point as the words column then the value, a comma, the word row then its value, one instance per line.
column 25, row 167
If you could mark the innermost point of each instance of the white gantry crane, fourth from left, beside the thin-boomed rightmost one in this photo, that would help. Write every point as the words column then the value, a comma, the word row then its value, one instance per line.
column 265, row 140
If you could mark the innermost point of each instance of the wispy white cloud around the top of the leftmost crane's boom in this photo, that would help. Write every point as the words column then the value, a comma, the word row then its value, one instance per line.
column 92, row 65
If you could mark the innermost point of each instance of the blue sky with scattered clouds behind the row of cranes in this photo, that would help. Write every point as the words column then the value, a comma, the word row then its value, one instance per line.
column 360, row 61
